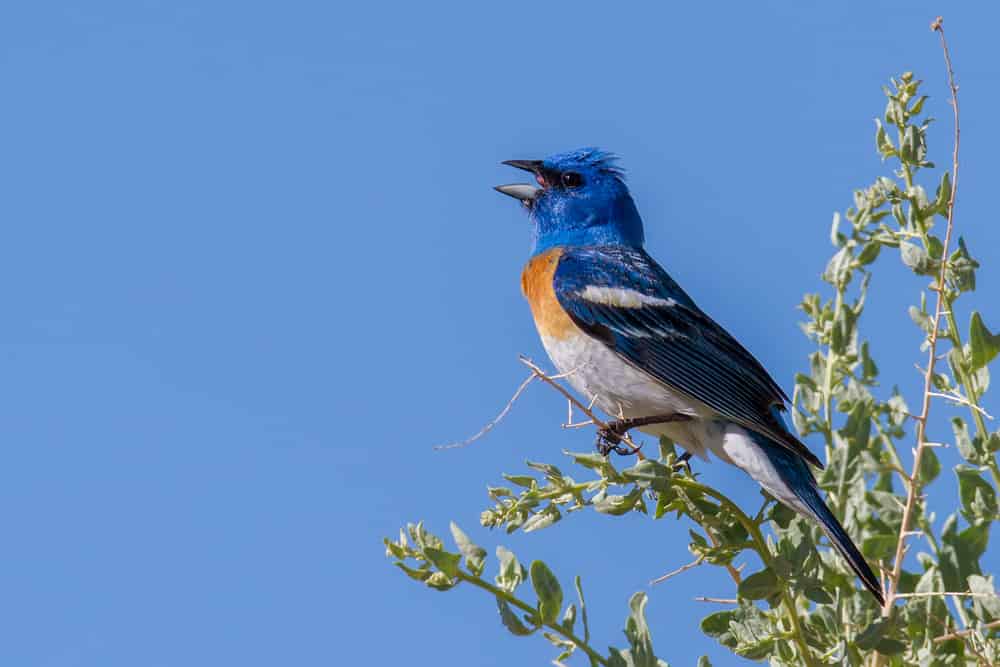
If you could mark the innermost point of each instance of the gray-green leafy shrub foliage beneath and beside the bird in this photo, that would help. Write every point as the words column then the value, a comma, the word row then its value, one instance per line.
column 803, row 606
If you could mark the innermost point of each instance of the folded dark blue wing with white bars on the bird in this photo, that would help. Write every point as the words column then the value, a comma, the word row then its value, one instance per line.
column 669, row 337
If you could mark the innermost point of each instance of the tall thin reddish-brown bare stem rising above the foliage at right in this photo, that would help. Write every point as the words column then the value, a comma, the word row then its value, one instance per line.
column 913, row 490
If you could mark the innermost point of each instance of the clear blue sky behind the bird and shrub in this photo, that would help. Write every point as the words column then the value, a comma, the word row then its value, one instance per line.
column 253, row 270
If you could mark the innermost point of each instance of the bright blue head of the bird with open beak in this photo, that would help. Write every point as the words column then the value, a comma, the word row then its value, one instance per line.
column 582, row 200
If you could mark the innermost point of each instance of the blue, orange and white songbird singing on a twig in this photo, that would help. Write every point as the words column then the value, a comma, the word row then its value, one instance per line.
column 630, row 339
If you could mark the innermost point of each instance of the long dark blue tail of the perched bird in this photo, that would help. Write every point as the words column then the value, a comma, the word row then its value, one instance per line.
column 795, row 473
